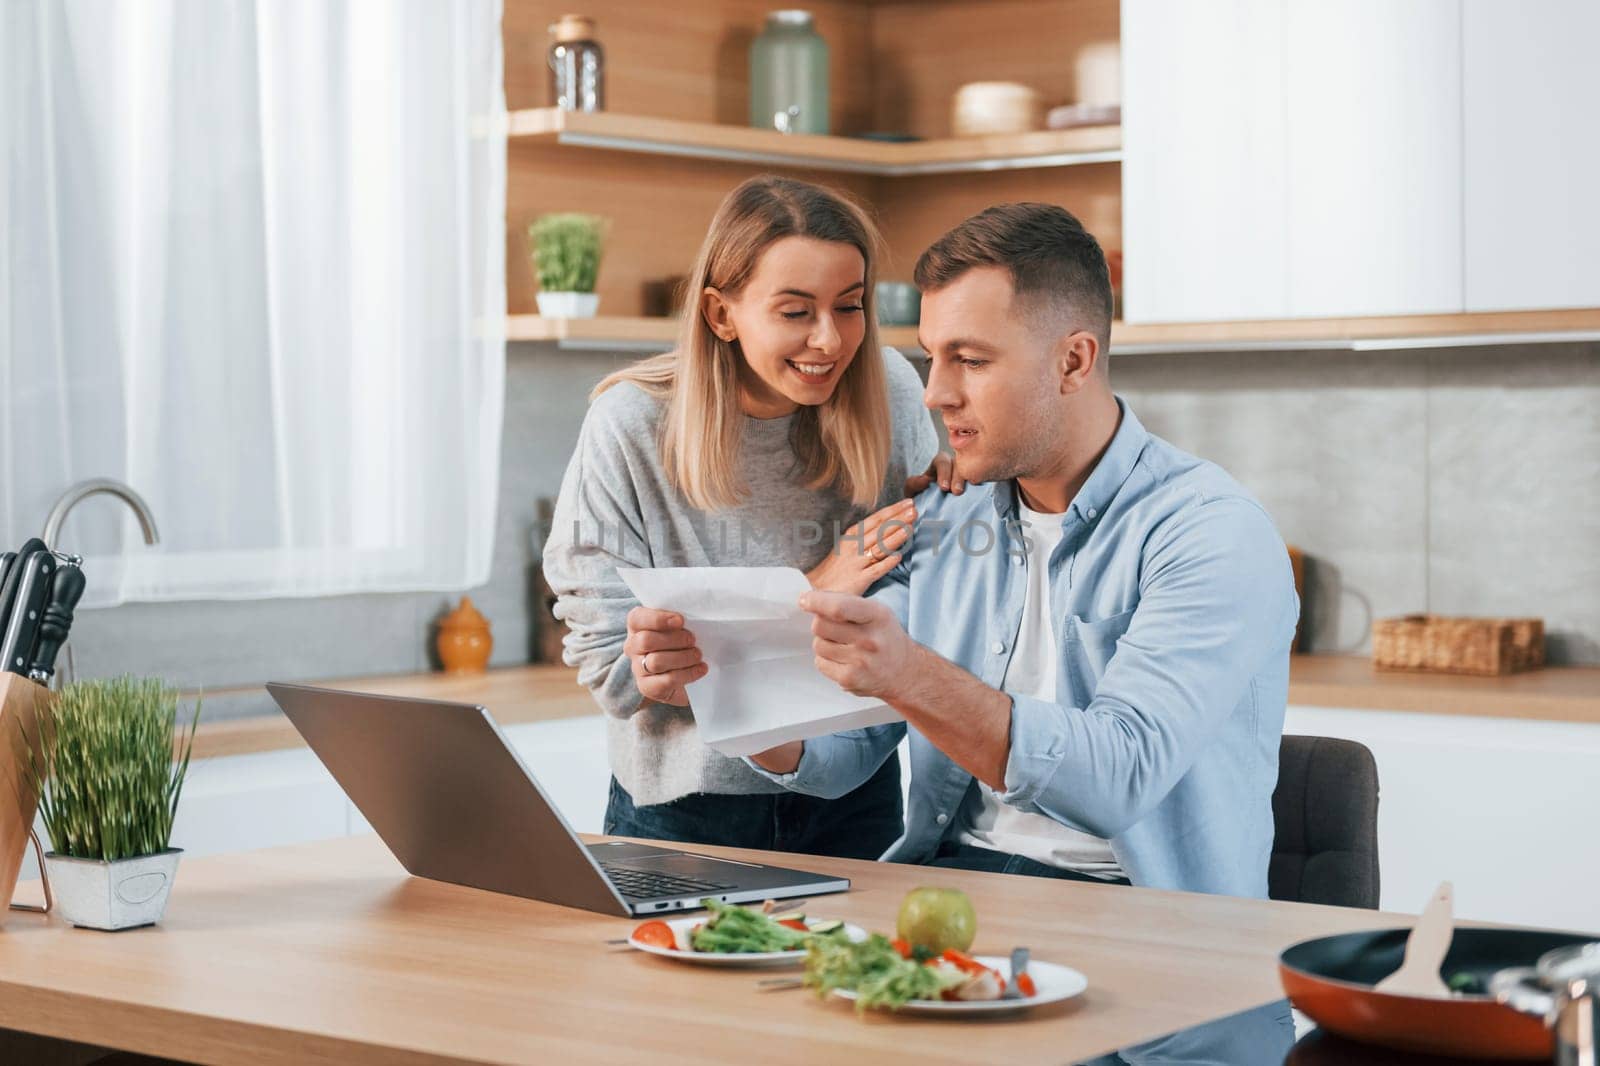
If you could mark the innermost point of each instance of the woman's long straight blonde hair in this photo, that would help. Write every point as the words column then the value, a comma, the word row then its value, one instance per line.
column 842, row 444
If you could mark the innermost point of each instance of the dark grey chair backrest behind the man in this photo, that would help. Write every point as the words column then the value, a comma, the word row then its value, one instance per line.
column 1326, row 811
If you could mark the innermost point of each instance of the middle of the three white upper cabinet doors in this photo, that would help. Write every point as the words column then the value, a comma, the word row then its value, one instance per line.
column 1374, row 103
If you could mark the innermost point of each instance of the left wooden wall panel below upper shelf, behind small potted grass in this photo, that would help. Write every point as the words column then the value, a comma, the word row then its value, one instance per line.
column 658, row 206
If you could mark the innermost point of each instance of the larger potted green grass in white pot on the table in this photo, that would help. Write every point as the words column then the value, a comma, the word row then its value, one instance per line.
column 110, row 775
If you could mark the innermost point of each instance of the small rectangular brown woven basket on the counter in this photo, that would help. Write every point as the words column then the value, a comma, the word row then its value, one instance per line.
column 1458, row 646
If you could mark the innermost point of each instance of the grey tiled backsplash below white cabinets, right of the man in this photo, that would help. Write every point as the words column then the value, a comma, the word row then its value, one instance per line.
column 1457, row 481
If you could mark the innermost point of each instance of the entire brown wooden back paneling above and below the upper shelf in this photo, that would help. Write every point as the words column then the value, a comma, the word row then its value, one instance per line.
column 895, row 66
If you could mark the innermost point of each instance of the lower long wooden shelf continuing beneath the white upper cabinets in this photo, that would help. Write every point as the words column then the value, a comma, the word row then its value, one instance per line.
column 623, row 334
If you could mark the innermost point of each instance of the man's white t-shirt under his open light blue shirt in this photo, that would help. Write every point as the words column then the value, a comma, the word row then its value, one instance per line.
column 985, row 820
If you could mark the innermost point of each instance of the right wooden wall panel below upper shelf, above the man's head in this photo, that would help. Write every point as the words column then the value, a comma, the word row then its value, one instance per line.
column 916, row 212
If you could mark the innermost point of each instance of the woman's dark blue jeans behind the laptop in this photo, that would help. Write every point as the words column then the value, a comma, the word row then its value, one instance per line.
column 858, row 825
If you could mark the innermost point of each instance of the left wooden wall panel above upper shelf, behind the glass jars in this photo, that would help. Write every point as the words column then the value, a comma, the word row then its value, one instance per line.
column 687, row 60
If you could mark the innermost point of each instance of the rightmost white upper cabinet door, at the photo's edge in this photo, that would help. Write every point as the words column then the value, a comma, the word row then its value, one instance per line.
column 1532, row 86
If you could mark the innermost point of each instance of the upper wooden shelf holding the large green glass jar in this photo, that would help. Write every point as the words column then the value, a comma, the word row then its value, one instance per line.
column 740, row 145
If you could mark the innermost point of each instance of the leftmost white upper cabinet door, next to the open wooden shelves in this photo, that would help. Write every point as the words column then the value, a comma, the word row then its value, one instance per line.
column 1204, row 194
